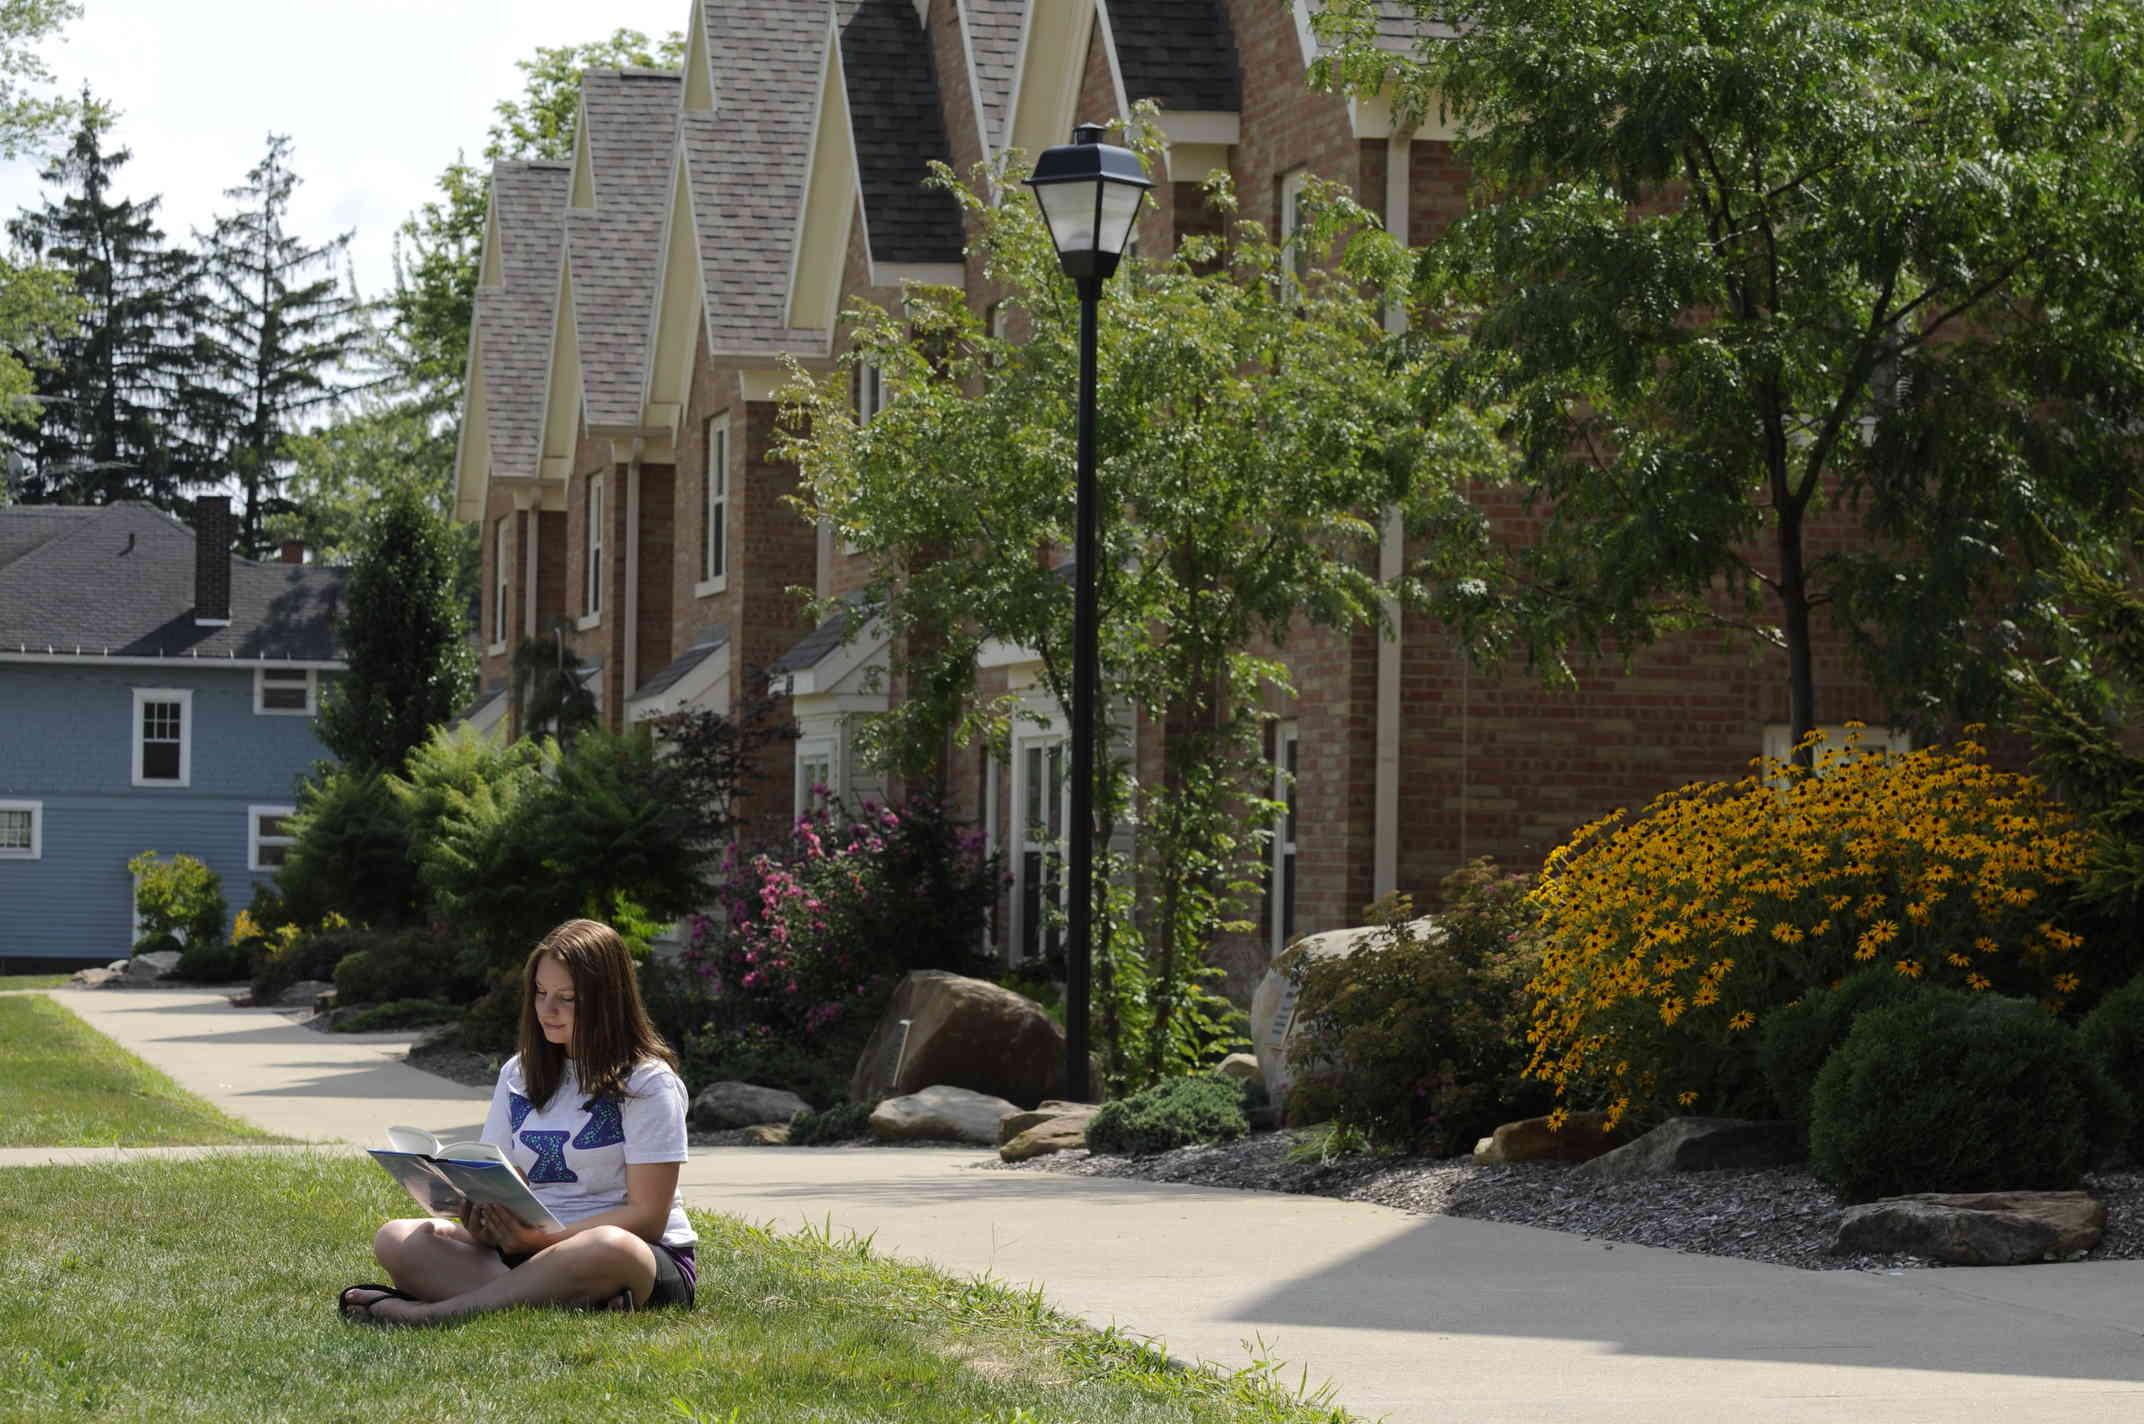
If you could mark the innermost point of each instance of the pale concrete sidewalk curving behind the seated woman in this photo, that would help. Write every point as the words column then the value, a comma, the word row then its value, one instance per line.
column 1414, row 1318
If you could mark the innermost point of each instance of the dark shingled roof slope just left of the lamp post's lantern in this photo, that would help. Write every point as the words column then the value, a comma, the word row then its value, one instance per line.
column 899, row 130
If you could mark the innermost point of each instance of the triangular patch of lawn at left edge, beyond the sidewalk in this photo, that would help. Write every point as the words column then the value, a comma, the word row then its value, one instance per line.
column 70, row 1086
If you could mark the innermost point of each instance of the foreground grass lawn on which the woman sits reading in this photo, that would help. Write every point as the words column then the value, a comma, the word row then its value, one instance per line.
column 207, row 1292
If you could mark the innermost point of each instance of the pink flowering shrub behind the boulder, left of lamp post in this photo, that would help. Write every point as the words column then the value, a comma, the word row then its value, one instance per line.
column 814, row 934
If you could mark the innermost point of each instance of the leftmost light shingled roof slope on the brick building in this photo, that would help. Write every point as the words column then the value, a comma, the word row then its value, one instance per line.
column 516, row 318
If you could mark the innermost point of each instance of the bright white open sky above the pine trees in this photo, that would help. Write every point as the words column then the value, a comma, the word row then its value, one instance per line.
column 376, row 95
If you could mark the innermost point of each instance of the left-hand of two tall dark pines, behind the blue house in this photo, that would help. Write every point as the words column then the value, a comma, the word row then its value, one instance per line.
column 110, row 389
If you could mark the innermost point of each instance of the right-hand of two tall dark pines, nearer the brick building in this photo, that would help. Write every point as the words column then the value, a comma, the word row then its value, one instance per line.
column 282, row 342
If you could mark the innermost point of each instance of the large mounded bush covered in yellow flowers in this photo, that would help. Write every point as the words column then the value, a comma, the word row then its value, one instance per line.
column 1671, row 936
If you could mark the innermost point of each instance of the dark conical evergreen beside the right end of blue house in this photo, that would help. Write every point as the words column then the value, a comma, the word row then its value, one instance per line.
column 404, row 634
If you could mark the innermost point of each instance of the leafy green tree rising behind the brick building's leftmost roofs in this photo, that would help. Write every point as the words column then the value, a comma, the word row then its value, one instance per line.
column 441, row 246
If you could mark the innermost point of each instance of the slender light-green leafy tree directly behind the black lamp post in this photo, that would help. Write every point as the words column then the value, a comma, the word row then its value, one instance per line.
column 1251, row 439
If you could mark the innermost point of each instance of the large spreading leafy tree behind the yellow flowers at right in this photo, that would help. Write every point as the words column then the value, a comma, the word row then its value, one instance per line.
column 1738, row 267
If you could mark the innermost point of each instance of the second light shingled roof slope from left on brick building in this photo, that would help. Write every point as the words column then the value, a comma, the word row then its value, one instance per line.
column 616, row 248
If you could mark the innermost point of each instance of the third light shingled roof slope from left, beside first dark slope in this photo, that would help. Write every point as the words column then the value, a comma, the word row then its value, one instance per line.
column 747, row 166
